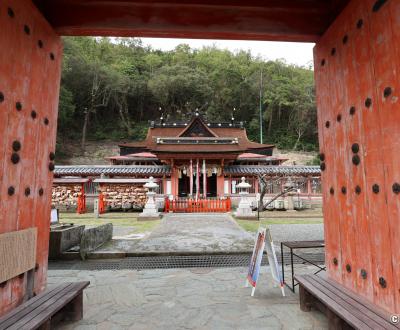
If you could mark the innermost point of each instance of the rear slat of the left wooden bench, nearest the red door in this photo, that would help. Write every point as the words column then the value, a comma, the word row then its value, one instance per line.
column 25, row 308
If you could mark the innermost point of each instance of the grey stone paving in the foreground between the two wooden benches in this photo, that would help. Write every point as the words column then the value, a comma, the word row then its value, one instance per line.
column 185, row 299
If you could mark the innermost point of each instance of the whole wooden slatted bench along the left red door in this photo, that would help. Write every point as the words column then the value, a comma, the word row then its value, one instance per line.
column 48, row 308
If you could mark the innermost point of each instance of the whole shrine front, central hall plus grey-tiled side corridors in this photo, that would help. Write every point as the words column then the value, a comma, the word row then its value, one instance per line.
column 196, row 158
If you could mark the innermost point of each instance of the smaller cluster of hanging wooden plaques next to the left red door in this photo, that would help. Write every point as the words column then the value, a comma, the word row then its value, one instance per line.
column 65, row 196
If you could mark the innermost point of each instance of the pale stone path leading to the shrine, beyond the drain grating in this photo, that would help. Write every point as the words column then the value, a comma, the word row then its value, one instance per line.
column 189, row 233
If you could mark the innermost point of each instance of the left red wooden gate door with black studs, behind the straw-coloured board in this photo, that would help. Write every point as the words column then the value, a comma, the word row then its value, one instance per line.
column 30, row 58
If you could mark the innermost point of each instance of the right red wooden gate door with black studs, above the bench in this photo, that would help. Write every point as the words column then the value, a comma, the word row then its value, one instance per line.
column 357, row 65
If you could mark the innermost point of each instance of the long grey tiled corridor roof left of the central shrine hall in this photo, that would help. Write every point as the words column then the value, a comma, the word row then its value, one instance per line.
column 123, row 170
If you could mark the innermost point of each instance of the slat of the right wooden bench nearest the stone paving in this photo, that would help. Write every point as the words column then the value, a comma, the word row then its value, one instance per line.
column 330, row 302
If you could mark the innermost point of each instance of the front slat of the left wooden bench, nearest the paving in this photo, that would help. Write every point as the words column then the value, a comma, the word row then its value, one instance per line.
column 51, row 306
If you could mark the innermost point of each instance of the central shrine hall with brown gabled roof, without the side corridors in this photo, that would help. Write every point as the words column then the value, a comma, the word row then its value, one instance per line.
column 197, row 153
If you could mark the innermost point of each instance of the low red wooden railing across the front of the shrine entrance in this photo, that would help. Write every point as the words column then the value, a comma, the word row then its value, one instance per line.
column 182, row 205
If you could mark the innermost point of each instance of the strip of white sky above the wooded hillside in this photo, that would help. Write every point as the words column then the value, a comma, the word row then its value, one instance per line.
column 291, row 52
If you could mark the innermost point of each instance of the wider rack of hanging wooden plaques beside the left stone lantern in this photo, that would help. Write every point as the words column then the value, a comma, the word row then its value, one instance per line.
column 124, row 196
